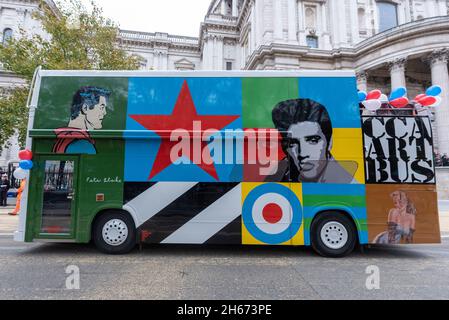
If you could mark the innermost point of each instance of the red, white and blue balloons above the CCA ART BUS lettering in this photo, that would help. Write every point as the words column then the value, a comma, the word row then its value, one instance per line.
column 374, row 100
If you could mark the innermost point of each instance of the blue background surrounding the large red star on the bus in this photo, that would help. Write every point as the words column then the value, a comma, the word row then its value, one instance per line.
column 158, row 96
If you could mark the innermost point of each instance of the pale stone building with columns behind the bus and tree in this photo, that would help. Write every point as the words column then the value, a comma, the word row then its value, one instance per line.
column 389, row 43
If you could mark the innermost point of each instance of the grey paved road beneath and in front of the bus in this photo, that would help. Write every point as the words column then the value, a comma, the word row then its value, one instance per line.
column 37, row 271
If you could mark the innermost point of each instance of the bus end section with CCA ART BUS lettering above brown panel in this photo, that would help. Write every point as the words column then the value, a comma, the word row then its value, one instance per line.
column 400, row 174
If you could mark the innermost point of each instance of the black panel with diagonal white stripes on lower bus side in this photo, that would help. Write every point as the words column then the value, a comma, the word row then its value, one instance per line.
column 186, row 212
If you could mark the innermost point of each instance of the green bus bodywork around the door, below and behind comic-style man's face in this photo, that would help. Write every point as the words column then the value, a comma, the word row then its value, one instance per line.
column 100, row 150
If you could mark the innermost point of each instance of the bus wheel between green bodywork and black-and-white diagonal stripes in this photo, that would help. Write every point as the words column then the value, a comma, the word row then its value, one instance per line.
column 114, row 233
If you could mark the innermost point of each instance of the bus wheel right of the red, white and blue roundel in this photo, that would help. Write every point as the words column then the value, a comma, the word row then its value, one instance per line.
column 333, row 235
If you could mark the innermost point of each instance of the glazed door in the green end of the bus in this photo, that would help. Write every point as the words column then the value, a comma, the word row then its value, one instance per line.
column 55, row 188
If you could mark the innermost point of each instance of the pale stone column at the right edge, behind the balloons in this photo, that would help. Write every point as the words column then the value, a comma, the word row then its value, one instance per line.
column 440, row 76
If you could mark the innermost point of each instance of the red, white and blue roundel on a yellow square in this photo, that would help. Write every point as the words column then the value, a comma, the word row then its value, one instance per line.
column 272, row 213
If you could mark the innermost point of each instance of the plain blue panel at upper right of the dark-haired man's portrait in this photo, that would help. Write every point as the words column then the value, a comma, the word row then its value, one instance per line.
column 338, row 95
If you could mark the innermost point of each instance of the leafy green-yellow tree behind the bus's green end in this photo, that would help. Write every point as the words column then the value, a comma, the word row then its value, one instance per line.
column 78, row 39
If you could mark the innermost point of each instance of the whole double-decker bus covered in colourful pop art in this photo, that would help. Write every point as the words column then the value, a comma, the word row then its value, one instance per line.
column 252, row 158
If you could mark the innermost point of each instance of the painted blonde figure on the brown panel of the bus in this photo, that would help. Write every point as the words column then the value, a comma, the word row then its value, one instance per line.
column 401, row 221
